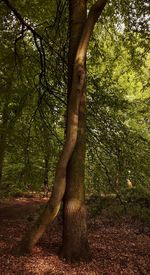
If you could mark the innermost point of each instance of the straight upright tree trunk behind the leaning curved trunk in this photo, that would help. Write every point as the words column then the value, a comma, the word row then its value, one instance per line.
column 75, row 243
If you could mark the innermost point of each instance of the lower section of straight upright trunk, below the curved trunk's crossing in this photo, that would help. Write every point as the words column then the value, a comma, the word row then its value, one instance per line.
column 75, row 243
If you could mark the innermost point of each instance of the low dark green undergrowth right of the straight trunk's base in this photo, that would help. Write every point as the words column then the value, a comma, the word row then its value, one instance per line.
column 135, row 202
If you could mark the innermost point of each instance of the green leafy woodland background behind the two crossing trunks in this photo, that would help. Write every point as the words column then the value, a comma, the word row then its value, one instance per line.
column 33, row 105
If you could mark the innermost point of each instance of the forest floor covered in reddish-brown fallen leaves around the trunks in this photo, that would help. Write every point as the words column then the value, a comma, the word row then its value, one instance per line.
column 119, row 246
